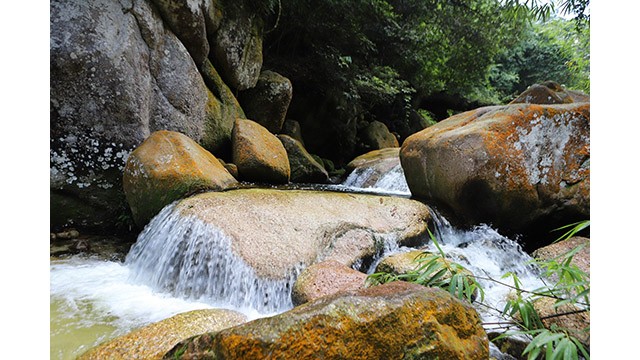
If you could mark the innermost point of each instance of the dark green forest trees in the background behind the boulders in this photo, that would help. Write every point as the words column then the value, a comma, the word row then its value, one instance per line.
column 353, row 62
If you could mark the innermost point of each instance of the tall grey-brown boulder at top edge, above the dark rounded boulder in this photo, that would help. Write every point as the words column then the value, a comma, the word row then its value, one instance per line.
column 237, row 46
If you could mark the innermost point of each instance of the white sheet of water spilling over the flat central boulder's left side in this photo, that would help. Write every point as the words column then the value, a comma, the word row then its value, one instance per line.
column 193, row 260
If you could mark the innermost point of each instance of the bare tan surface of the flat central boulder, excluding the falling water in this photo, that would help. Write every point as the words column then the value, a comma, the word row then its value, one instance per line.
column 277, row 230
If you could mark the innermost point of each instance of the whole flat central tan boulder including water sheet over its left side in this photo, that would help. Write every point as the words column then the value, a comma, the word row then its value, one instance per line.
column 257, row 241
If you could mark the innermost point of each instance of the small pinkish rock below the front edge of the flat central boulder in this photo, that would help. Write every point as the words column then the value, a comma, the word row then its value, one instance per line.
column 326, row 278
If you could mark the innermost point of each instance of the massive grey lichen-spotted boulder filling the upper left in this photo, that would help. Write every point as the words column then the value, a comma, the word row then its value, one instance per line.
column 117, row 74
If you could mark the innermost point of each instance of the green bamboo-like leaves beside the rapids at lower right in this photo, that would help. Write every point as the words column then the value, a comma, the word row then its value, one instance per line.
column 570, row 286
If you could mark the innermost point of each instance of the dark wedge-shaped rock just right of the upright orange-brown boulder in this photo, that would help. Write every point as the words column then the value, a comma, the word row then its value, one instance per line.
column 304, row 168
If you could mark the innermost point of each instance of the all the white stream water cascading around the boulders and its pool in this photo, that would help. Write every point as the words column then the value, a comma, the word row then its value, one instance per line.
column 93, row 300
